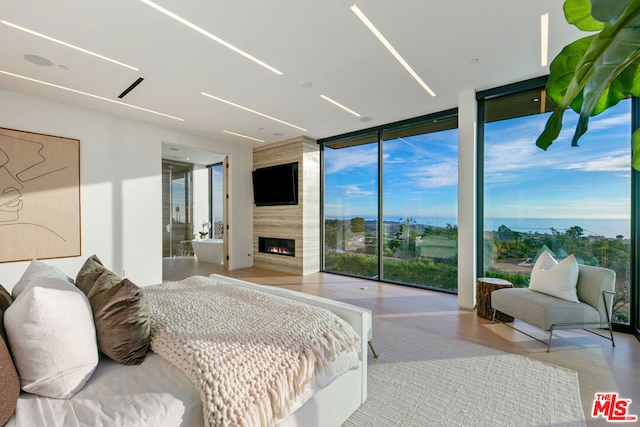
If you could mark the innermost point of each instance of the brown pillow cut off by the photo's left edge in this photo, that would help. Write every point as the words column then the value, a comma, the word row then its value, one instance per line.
column 9, row 380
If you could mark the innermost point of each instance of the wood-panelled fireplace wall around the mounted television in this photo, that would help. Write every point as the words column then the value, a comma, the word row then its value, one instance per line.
column 300, row 222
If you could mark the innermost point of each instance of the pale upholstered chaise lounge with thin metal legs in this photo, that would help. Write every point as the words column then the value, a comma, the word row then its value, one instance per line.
column 595, row 291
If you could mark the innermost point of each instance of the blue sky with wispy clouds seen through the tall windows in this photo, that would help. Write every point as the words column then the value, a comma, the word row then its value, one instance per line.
column 521, row 180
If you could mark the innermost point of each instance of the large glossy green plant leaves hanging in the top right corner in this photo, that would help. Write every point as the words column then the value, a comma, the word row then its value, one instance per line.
column 603, row 75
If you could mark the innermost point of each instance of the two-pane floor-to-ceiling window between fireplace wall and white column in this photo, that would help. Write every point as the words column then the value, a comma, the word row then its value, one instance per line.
column 399, row 182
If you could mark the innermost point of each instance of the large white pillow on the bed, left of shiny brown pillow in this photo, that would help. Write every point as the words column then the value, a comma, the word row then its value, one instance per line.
column 52, row 336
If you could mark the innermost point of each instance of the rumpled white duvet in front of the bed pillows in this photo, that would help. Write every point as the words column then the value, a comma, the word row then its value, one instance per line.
column 151, row 394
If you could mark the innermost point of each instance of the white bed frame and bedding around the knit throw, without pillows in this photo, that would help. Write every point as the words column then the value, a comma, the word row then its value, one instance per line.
column 157, row 394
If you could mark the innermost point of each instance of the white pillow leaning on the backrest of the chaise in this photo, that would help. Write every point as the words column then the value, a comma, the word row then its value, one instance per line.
column 558, row 279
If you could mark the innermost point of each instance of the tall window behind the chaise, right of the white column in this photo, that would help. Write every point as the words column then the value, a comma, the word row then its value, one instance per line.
column 568, row 200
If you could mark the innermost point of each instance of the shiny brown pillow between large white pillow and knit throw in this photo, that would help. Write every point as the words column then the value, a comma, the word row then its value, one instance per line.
column 120, row 312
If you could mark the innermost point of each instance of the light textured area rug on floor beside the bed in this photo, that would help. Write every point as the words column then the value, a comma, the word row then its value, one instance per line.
column 421, row 379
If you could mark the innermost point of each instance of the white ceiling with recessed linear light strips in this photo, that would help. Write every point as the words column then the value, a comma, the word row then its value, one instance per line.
column 320, row 47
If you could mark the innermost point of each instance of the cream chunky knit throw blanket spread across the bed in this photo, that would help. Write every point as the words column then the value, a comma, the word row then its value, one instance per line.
column 252, row 355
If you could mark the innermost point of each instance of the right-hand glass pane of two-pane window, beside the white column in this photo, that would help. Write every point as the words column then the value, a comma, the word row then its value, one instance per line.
column 419, row 204
